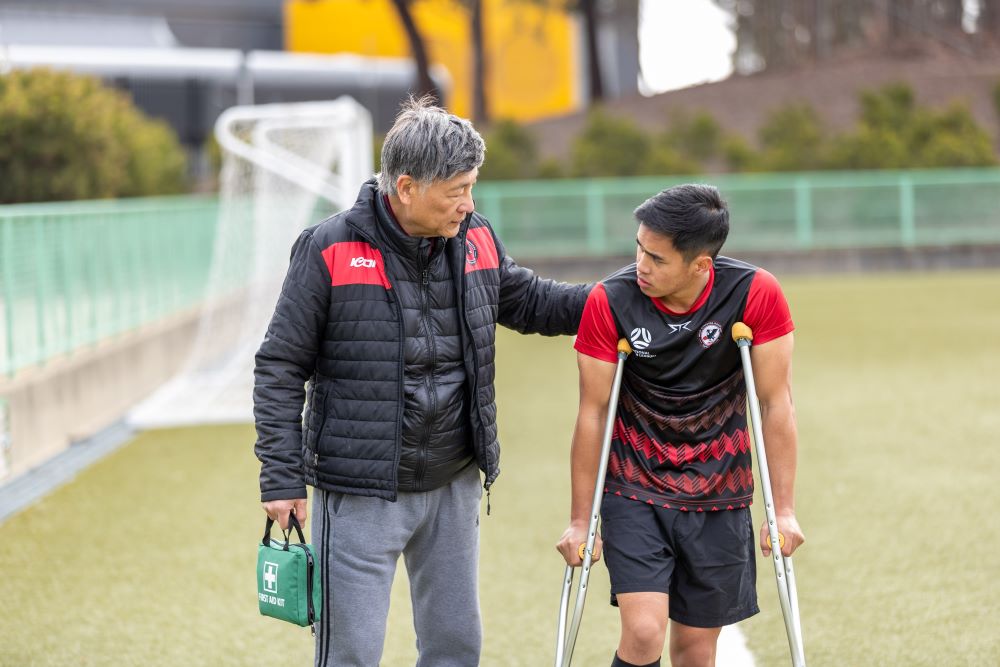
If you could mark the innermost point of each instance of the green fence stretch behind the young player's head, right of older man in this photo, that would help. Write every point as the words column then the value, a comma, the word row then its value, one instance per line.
column 800, row 211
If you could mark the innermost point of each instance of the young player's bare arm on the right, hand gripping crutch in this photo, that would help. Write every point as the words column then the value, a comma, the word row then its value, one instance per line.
column 772, row 366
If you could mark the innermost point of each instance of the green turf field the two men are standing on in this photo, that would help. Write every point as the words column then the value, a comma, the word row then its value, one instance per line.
column 147, row 558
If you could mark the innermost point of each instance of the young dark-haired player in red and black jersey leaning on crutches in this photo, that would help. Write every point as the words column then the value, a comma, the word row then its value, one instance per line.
column 675, row 517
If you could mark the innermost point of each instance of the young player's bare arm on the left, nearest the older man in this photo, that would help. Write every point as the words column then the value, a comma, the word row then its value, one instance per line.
column 596, row 378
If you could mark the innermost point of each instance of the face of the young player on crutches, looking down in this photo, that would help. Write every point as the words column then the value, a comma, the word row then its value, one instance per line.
column 662, row 270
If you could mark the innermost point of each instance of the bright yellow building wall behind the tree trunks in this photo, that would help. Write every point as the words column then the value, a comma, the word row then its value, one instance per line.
column 531, row 51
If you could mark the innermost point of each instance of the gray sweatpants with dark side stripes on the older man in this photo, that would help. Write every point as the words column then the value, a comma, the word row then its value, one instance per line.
column 358, row 541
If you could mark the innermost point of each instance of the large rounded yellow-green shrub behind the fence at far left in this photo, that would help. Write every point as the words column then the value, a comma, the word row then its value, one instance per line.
column 65, row 136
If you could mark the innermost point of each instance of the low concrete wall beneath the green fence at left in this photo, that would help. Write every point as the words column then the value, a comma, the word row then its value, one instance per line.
column 68, row 399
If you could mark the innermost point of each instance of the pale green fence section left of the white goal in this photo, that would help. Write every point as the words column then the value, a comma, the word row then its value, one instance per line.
column 76, row 273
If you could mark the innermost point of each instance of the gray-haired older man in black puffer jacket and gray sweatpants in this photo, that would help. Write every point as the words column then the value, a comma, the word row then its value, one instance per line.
column 389, row 312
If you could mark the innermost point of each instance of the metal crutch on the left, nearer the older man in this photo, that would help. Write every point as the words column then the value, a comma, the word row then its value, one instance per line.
column 565, row 643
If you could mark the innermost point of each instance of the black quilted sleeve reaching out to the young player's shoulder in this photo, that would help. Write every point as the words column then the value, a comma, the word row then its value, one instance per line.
column 530, row 304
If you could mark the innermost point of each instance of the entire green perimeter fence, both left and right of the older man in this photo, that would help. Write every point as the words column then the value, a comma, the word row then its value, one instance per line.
column 74, row 274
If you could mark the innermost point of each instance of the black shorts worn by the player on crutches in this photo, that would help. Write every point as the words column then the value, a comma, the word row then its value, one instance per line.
column 704, row 561
